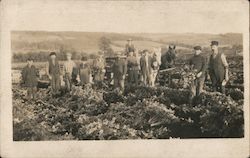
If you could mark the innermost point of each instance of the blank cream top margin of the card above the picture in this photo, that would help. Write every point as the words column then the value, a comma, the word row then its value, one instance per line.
column 127, row 16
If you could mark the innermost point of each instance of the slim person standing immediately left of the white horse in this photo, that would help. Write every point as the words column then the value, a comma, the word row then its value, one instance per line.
column 145, row 64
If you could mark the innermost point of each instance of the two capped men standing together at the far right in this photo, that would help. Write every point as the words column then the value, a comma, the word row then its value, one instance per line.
column 217, row 67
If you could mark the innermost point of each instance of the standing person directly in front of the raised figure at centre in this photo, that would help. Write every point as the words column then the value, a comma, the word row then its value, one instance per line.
column 133, row 69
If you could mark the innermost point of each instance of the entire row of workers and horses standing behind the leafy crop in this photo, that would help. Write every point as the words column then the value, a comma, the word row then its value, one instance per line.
column 141, row 67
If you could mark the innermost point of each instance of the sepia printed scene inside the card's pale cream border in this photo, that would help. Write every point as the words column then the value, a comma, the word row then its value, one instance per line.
column 78, row 85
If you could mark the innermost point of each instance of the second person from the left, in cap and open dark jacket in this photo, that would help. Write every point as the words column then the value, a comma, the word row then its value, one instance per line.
column 53, row 71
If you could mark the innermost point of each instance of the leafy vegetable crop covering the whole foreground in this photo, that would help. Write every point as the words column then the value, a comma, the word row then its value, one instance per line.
column 141, row 113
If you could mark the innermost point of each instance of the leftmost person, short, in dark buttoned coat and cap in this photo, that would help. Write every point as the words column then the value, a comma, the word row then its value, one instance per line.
column 30, row 76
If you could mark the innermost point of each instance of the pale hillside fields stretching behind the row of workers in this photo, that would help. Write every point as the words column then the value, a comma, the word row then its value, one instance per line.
column 36, row 41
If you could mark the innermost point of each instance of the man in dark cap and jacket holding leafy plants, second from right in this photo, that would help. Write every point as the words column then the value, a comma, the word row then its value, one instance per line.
column 198, row 65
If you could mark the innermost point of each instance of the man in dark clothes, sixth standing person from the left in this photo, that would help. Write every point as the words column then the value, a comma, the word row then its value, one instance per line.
column 120, row 71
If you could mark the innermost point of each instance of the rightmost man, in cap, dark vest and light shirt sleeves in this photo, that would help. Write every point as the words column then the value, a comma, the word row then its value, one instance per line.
column 218, row 68
